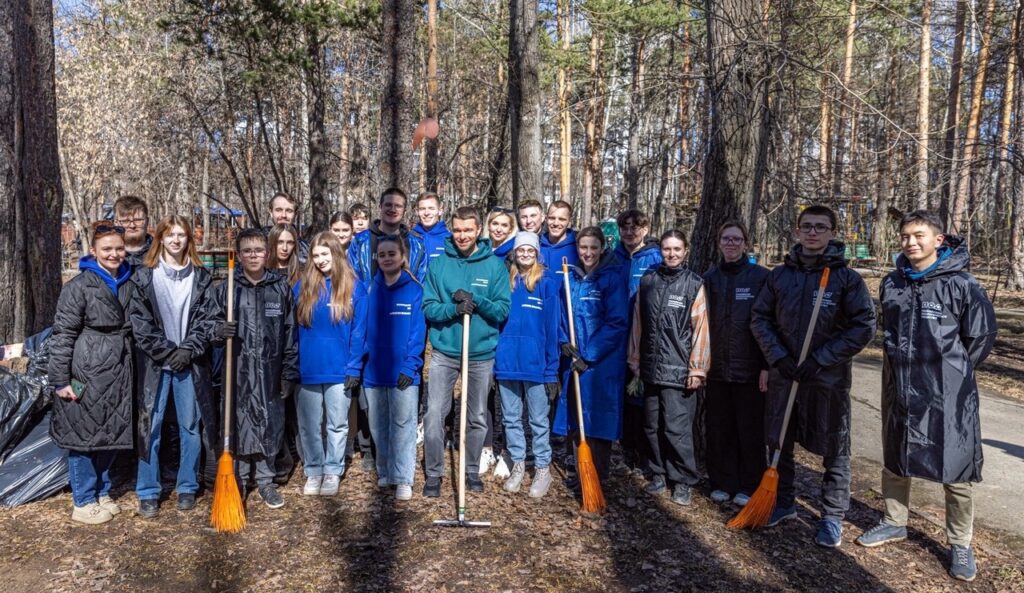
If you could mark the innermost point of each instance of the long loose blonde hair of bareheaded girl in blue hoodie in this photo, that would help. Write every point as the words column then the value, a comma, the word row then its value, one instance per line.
column 313, row 284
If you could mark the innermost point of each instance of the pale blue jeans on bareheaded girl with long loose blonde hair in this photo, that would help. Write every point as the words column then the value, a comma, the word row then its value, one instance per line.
column 317, row 406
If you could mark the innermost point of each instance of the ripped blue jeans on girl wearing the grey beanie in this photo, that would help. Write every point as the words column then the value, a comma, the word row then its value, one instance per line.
column 514, row 393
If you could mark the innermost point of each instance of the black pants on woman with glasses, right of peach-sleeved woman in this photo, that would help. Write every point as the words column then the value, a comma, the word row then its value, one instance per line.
column 736, row 416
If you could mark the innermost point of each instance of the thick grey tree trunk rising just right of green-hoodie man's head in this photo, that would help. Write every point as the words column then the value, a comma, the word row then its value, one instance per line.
column 525, row 102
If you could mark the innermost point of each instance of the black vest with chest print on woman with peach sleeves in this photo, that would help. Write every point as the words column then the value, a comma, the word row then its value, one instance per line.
column 665, row 302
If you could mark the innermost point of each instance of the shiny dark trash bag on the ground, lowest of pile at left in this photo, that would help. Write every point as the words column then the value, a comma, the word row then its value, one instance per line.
column 35, row 470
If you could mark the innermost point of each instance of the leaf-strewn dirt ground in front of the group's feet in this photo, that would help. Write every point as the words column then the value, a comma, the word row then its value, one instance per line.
column 363, row 540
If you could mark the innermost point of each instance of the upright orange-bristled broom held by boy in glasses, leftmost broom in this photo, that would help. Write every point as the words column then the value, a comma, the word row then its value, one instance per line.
column 228, row 514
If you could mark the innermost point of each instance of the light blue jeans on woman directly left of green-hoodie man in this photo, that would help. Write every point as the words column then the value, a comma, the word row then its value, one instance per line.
column 393, row 425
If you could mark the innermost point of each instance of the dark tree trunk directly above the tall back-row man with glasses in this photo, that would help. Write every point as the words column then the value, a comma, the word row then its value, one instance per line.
column 400, row 21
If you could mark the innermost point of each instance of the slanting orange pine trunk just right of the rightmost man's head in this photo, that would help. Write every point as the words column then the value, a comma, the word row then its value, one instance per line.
column 959, row 211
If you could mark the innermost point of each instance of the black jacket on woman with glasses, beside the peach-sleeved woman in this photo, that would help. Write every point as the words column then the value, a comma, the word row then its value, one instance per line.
column 732, row 289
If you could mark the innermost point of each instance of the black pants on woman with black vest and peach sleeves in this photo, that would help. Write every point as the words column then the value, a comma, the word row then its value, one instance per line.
column 670, row 413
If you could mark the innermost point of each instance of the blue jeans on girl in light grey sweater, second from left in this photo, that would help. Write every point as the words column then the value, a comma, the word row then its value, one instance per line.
column 187, row 410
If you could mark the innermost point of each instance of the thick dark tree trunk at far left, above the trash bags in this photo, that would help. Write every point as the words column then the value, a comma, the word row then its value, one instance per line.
column 31, row 196
